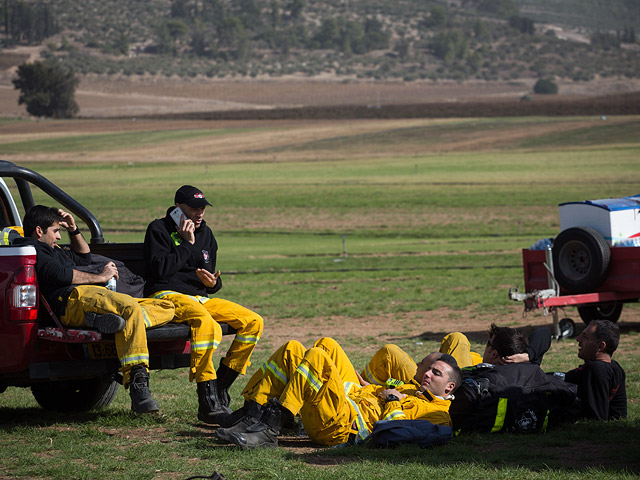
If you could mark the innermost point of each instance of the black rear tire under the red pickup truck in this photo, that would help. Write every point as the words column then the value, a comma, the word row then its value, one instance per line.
column 75, row 395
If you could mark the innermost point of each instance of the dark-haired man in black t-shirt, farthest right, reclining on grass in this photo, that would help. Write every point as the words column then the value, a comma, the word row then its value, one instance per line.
column 600, row 380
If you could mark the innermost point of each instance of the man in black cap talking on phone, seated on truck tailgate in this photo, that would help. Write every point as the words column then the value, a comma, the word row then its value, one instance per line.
column 180, row 258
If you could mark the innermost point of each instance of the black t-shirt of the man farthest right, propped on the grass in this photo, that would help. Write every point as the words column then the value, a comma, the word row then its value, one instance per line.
column 601, row 389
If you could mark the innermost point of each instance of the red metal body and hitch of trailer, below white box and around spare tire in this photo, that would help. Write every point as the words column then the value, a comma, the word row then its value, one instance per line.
column 622, row 284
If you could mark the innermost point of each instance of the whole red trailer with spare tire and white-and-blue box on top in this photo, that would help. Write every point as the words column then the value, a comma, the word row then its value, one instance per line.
column 595, row 267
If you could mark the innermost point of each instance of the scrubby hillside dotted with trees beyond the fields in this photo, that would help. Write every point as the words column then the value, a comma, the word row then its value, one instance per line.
column 409, row 40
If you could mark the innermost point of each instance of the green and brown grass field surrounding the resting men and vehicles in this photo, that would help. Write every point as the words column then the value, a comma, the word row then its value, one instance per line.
column 368, row 231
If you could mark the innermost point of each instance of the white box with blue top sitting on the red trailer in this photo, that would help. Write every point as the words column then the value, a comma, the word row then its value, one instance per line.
column 616, row 219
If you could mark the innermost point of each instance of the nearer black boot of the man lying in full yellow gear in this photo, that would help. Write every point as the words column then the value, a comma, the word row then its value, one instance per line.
column 265, row 432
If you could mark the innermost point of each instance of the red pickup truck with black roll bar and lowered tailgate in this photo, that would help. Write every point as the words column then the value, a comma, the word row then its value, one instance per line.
column 66, row 368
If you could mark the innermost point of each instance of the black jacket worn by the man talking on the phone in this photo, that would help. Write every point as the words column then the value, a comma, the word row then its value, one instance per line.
column 171, row 263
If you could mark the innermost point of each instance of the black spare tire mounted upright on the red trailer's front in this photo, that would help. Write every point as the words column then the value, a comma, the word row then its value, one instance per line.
column 581, row 259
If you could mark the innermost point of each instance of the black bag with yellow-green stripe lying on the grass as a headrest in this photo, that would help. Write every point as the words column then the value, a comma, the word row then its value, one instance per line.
column 516, row 397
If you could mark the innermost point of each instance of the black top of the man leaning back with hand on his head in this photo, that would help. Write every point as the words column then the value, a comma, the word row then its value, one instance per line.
column 54, row 268
